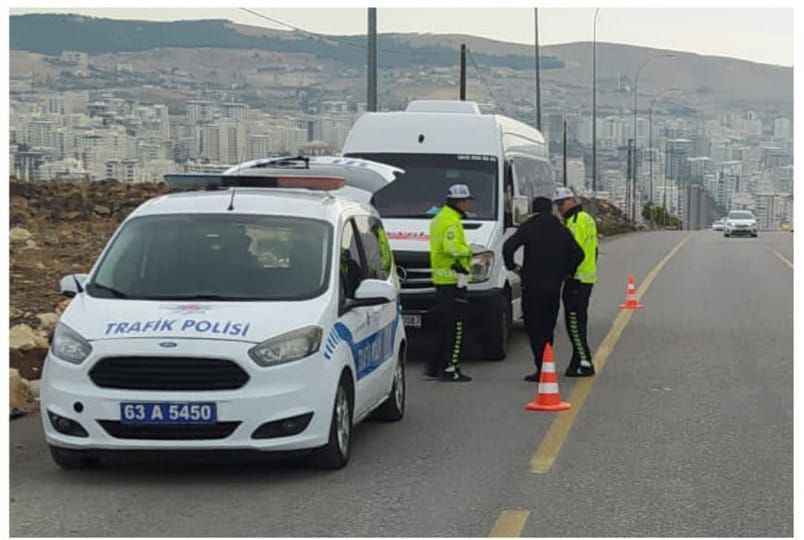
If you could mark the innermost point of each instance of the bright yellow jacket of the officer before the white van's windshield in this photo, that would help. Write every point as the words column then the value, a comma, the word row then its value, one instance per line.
column 448, row 246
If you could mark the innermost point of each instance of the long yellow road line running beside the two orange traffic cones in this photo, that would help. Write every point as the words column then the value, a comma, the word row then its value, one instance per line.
column 547, row 452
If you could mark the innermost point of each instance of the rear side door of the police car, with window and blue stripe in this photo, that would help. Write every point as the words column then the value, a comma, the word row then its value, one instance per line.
column 383, row 319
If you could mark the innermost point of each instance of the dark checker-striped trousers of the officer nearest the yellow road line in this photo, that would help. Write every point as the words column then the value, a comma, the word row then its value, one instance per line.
column 576, row 297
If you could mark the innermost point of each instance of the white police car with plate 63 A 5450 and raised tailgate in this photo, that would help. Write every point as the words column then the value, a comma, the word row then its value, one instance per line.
column 239, row 318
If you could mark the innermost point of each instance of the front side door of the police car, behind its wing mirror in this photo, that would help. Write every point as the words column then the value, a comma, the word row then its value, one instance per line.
column 353, row 324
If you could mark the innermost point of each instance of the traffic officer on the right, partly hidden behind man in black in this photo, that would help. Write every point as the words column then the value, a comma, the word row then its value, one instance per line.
column 578, row 289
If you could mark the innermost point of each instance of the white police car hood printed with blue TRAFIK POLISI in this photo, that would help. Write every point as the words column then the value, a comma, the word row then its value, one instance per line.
column 99, row 319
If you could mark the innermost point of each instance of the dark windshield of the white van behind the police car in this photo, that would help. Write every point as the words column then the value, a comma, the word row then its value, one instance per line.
column 420, row 191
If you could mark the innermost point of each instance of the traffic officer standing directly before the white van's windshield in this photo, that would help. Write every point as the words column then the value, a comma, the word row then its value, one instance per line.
column 450, row 259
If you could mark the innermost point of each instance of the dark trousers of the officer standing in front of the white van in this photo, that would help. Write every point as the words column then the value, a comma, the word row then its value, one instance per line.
column 450, row 313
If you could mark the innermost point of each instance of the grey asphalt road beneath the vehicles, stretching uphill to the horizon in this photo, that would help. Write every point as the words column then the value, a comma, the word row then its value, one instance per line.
column 686, row 431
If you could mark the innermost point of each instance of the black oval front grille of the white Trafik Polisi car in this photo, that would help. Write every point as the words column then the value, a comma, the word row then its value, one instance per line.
column 167, row 373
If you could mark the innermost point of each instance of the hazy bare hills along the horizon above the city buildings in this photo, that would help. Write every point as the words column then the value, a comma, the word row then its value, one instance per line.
column 706, row 80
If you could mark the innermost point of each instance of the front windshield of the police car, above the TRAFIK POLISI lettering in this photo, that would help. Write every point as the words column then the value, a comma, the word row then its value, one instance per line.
column 216, row 257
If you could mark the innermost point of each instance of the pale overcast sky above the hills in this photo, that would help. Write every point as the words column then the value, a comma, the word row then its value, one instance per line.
column 757, row 34
